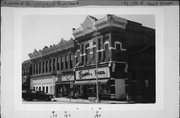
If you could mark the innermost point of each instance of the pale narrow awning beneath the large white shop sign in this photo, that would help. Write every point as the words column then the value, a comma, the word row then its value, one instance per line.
column 90, row 82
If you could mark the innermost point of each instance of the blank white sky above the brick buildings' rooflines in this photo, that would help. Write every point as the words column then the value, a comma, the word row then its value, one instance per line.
column 45, row 30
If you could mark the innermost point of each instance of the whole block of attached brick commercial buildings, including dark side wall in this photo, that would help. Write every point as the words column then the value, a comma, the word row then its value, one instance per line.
column 119, row 52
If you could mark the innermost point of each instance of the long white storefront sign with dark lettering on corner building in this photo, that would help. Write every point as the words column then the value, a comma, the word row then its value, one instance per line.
column 91, row 73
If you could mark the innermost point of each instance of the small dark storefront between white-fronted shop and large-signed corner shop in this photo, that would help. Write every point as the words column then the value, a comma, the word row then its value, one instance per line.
column 64, row 85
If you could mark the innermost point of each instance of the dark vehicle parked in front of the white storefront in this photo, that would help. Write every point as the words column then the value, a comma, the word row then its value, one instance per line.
column 30, row 95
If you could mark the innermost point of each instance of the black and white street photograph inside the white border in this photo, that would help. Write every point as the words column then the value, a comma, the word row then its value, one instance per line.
column 107, row 59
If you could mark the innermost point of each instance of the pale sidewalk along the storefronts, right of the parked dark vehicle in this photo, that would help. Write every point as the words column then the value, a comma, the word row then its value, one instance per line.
column 86, row 101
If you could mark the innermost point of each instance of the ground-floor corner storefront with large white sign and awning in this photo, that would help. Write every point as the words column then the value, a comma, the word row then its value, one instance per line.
column 109, row 88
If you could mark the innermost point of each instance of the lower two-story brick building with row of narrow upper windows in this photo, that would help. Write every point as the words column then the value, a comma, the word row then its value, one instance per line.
column 52, row 68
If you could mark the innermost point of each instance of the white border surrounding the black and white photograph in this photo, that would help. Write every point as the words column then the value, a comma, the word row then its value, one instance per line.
column 159, row 27
